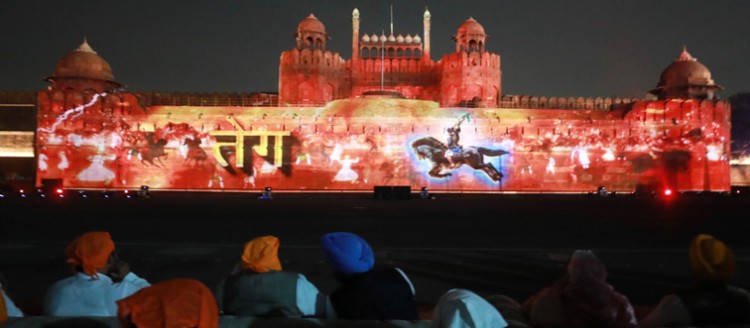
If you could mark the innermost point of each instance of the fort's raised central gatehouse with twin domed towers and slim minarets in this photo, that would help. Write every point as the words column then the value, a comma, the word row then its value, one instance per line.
column 310, row 73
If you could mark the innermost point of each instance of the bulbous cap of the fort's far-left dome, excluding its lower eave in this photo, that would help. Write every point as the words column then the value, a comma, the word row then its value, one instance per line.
column 83, row 63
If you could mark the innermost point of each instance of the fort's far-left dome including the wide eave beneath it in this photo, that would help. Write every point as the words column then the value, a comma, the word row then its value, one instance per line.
column 83, row 69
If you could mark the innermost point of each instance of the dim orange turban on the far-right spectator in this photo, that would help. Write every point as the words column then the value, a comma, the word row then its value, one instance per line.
column 711, row 259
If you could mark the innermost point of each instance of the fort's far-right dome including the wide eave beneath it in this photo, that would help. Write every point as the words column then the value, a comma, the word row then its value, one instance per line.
column 686, row 78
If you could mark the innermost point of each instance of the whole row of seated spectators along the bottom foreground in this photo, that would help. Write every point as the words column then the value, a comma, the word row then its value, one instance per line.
column 103, row 286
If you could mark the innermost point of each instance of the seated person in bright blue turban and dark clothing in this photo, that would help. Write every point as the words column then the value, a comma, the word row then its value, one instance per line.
column 364, row 292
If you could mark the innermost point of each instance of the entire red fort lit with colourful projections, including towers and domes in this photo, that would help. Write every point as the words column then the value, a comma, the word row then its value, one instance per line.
column 389, row 115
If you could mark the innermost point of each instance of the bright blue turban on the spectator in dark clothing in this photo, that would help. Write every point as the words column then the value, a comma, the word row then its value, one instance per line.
column 348, row 252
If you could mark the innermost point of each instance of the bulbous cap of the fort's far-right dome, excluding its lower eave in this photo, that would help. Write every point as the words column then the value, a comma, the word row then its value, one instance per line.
column 685, row 70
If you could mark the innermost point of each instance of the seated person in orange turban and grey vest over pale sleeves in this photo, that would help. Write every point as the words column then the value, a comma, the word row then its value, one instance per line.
column 258, row 287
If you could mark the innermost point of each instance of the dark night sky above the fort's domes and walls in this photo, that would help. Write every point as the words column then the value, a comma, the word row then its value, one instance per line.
column 548, row 47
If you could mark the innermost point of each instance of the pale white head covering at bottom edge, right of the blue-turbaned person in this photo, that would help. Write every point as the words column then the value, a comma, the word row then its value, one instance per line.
column 461, row 308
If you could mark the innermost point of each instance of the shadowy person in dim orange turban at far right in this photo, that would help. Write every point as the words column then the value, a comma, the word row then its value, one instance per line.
column 711, row 301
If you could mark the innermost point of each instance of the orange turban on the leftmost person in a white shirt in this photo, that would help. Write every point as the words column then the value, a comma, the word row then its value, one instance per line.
column 90, row 251
